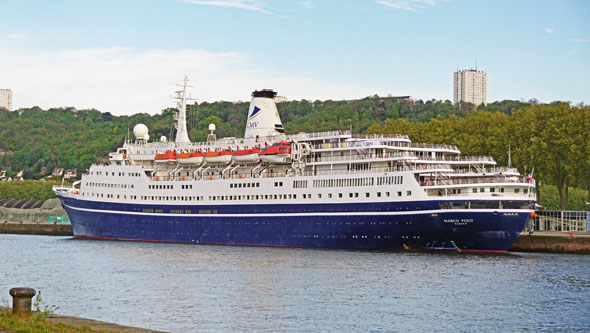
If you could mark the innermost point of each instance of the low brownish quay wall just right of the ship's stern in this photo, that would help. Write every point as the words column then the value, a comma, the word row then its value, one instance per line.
column 553, row 242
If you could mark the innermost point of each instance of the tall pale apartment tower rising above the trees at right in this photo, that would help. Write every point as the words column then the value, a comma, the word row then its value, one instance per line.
column 470, row 86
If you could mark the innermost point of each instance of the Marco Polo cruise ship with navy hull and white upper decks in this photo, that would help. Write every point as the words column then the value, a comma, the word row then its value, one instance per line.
column 318, row 190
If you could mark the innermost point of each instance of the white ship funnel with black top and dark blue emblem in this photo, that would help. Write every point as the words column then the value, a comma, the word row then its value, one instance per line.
column 263, row 116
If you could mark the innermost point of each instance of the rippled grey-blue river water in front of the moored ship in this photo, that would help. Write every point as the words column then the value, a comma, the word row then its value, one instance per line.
column 181, row 288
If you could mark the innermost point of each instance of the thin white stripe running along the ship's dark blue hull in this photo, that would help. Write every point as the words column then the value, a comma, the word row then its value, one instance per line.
column 415, row 212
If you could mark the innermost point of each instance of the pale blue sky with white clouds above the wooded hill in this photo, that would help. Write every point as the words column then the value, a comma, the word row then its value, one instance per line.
column 126, row 56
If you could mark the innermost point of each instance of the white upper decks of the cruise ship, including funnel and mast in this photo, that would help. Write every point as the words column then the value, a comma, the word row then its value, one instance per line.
column 318, row 167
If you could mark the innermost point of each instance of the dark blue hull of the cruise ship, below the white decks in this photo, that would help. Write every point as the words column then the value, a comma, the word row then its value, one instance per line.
column 388, row 226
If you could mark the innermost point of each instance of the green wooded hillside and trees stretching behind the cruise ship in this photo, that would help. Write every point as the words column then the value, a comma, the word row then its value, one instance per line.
column 549, row 140
